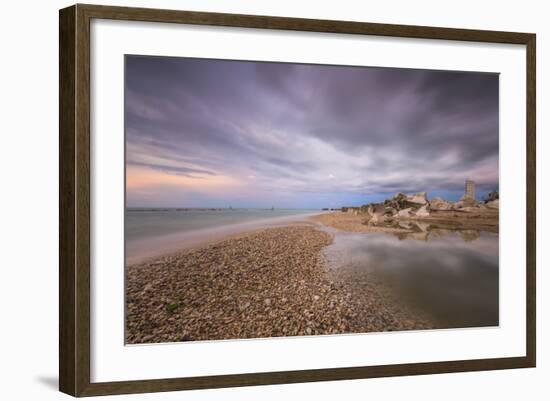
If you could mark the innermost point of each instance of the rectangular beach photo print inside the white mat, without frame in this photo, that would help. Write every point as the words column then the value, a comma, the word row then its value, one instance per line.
column 268, row 199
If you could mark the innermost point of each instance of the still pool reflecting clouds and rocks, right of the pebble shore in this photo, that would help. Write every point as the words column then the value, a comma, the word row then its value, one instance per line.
column 451, row 275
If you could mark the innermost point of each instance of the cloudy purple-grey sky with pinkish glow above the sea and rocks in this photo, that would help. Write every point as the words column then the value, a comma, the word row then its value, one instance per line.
column 220, row 133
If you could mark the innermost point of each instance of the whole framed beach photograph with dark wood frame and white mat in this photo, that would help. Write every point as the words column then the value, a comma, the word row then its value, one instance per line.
column 250, row 200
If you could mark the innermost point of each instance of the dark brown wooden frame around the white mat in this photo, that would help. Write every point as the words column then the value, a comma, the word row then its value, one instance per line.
column 74, row 199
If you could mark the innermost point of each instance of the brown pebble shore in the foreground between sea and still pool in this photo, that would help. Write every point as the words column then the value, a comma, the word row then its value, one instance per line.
column 269, row 283
